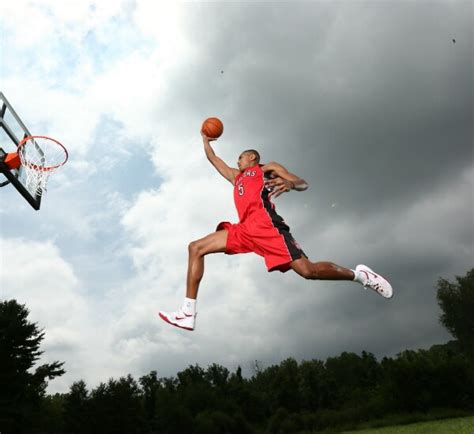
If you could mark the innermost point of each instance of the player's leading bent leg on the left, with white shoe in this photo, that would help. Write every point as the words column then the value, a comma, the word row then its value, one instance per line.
column 185, row 317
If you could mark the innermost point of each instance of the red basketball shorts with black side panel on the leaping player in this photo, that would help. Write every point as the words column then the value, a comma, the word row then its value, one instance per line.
column 265, row 238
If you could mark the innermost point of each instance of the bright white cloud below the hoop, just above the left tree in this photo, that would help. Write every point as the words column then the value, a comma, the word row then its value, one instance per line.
column 35, row 274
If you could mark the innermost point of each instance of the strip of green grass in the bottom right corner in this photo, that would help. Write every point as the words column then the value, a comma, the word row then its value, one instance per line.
column 462, row 425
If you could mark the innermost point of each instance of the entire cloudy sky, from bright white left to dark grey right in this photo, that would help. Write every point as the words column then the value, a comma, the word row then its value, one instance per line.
column 370, row 102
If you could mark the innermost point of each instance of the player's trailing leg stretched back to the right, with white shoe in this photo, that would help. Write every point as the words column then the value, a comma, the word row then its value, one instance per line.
column 330, row 271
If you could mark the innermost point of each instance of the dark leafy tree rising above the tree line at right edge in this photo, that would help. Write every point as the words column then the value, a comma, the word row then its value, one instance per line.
column 456, row 300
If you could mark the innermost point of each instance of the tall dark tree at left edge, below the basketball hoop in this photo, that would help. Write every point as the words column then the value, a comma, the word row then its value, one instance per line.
column 21, row 390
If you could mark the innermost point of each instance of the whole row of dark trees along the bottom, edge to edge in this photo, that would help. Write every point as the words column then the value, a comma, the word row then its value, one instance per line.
column 288, row 397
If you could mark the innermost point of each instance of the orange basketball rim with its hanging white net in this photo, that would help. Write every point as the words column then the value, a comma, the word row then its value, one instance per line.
column 40, row 156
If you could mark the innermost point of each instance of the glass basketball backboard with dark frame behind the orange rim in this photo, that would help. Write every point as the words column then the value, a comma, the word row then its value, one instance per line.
column 12, row 131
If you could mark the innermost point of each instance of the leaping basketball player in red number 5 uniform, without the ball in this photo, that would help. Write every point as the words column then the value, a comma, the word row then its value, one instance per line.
column 262, row 231
